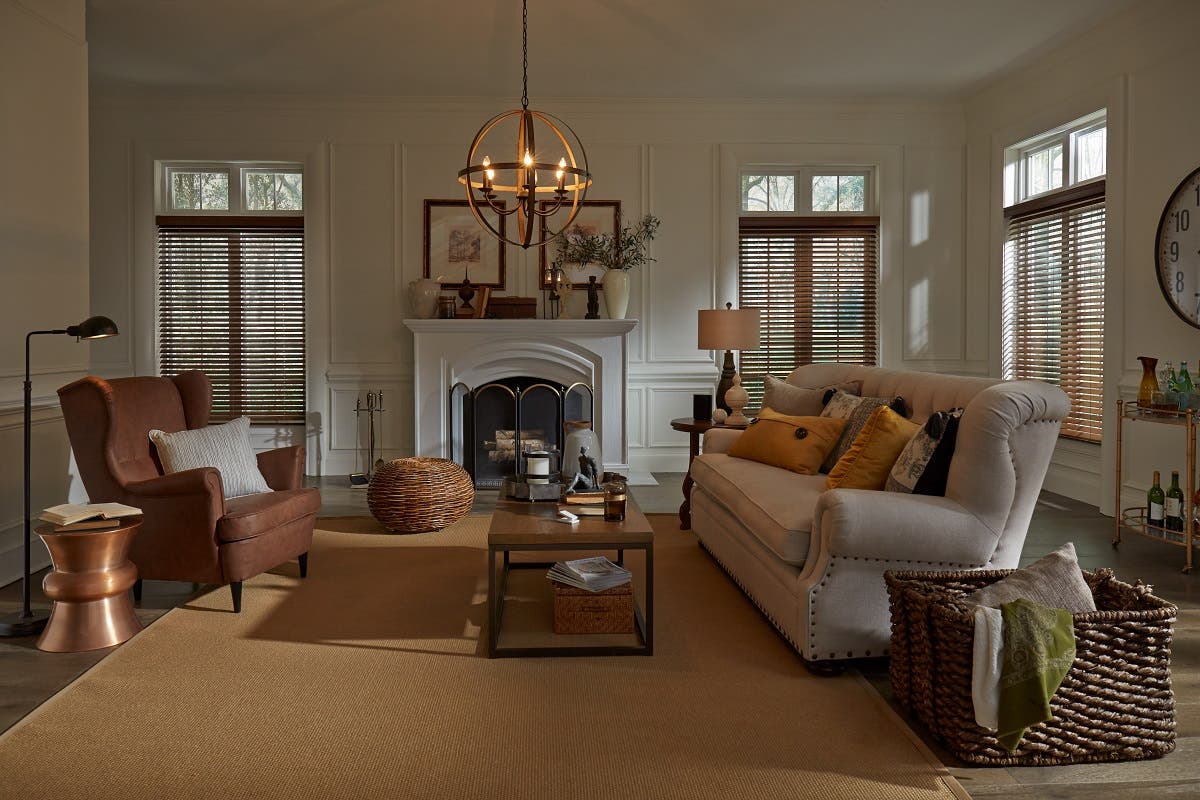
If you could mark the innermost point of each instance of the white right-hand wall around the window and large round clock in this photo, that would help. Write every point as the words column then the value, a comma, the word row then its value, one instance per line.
column 1141, row 65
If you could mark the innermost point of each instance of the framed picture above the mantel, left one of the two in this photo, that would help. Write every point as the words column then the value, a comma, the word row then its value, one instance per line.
column 457, row 246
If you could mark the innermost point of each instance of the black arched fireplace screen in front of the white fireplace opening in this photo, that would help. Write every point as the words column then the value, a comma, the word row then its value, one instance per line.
column 494, row 425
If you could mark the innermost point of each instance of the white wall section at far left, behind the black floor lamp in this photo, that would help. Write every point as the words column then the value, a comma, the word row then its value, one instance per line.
column 44, row 246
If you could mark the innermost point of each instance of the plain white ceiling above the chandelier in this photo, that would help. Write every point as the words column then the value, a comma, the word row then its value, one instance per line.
column 579, row 49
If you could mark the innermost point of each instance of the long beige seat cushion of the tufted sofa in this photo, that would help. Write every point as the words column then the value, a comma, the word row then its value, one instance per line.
column 773, row 504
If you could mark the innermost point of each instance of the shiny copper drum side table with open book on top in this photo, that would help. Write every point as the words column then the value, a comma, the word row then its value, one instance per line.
column 91, row 588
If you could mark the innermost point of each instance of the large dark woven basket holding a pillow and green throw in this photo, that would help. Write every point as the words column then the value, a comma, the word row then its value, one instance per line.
column 1115, row 705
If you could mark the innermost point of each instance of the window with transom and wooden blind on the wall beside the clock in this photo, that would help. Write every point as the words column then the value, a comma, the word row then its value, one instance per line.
column 1053, row 311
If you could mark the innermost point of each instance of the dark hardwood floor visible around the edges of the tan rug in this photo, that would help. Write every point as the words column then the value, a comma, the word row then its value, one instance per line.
column 28, row 677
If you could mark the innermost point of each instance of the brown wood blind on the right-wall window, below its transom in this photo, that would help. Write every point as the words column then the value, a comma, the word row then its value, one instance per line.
column 1054, row 303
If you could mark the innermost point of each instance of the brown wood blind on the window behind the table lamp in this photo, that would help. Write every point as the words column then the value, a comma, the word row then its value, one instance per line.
column 815, row 284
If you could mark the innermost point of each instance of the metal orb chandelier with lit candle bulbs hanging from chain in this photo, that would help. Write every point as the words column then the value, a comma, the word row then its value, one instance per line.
column 523, row 188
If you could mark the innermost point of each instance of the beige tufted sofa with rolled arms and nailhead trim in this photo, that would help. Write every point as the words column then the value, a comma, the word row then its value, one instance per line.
column 814, row 561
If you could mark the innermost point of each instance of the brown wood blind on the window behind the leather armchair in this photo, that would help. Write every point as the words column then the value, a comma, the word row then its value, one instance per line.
column 231, row 304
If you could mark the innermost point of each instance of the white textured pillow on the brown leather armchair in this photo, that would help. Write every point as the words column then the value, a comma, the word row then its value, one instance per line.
column 223, row 447
